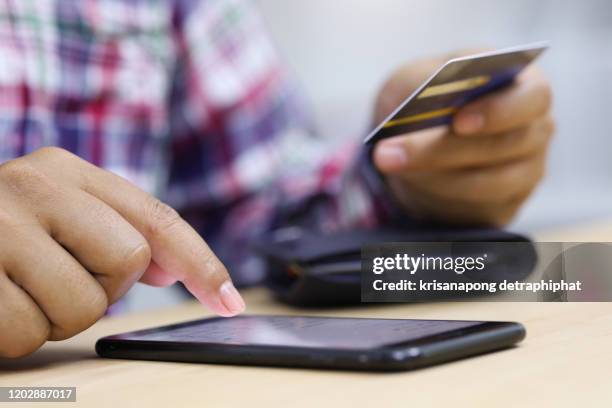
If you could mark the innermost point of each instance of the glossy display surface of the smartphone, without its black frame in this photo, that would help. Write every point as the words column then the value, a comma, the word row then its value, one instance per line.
column 309, row 332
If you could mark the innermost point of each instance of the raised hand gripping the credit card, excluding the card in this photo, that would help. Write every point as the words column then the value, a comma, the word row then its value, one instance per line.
column 477, row 171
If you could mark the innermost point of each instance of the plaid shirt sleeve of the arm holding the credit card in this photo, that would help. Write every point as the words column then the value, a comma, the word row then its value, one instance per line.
column 245, row 159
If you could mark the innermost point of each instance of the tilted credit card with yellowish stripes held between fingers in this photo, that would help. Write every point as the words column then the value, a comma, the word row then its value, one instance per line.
column 457, row 82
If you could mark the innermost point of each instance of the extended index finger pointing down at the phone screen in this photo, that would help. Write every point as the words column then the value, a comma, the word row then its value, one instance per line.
column 175, row 246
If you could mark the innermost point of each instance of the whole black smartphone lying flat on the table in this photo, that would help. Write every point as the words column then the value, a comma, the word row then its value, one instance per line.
column 314, row 342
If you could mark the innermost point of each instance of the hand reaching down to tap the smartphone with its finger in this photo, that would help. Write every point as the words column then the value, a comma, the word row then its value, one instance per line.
column 74, row 238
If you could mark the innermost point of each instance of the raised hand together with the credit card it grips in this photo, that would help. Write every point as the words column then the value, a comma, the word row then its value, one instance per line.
column 469, row 145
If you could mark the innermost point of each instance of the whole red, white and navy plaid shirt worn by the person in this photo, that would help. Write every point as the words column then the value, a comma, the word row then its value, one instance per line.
column 187, row 99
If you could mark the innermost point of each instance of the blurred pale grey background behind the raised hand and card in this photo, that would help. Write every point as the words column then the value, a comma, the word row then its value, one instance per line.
column 341, row 51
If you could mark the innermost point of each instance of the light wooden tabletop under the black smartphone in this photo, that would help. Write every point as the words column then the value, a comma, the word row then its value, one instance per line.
column 566, row 360
